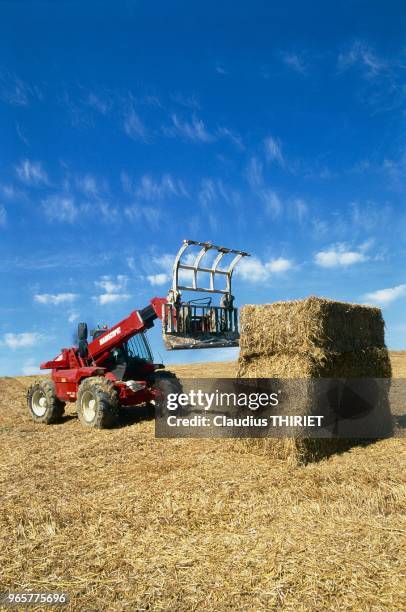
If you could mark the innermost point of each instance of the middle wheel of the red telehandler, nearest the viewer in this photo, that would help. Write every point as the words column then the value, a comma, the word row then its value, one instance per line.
column 98, row 404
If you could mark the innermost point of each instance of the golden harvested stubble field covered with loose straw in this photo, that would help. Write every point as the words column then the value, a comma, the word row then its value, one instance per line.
column 123, row 521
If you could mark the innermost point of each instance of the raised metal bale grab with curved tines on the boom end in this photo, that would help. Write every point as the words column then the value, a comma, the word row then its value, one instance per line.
column 197, row 323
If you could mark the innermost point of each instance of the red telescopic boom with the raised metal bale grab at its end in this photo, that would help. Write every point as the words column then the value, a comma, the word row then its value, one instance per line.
column 185, row 325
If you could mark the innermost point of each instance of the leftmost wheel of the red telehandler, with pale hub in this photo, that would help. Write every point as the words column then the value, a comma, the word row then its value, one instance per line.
column 43, row 403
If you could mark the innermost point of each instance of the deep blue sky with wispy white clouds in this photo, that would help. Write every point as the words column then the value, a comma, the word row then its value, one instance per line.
column 277, row 128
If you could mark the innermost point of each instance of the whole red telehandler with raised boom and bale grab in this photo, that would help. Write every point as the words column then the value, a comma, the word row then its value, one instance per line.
column 115, row 368
